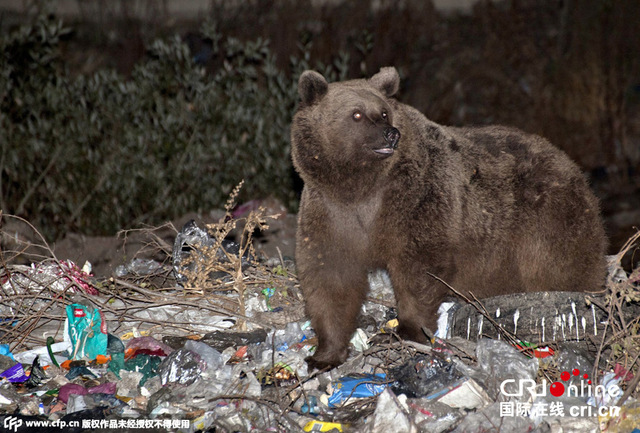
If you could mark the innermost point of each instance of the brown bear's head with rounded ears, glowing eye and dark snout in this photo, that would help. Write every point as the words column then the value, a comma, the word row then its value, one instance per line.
column 344, row 130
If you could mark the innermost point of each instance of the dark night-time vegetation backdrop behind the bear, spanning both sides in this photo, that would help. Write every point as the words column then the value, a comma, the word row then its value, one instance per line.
column 114, row 118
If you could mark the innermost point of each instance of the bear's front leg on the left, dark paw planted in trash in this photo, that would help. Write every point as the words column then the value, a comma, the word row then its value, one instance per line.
column 333, row 295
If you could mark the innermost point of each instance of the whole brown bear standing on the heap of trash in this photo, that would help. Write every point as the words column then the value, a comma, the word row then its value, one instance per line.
column 491, row 210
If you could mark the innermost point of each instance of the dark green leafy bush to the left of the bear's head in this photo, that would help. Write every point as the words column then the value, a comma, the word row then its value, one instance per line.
column 98, row 153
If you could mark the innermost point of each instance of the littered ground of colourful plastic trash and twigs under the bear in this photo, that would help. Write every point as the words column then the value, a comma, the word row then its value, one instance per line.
column 224, row 352
